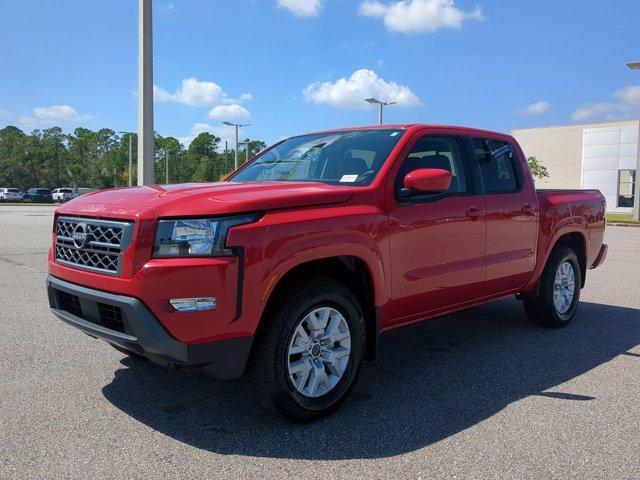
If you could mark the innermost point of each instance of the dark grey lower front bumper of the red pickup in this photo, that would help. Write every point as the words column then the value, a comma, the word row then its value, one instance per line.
column 127, row 322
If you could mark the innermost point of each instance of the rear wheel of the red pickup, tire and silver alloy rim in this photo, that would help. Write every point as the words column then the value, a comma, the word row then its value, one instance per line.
column 547, row 311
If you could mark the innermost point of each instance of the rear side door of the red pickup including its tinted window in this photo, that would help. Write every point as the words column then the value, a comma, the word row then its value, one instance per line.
column 512, row 214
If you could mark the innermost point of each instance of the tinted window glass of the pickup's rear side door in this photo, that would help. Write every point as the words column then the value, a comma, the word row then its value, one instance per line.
column 498, row 165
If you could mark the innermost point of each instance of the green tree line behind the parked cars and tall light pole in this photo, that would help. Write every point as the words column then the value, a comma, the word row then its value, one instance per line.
column 100, row 159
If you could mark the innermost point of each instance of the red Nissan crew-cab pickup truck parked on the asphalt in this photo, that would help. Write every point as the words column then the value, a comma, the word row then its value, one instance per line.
column 288, row 272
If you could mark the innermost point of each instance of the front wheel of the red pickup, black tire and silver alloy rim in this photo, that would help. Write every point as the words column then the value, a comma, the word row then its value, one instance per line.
column 270, row 379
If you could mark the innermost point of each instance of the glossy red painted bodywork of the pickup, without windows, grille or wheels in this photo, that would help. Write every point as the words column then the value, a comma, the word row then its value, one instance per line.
column 424, row 259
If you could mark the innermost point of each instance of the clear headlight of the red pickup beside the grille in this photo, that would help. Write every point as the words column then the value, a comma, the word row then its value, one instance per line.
column 196, row 237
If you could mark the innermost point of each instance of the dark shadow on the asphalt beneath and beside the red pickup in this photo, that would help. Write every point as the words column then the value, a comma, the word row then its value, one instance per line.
column 430, row 381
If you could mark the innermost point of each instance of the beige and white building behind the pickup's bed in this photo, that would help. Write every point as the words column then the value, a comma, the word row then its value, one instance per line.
column 600, row 155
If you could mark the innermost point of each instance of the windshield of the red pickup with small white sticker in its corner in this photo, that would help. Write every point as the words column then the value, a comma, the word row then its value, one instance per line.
column 352, row 158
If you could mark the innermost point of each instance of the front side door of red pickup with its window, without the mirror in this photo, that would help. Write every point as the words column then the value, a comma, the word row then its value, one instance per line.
column 437, row 241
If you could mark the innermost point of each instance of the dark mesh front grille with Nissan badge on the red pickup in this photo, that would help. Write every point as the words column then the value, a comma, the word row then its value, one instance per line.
column 100, row 252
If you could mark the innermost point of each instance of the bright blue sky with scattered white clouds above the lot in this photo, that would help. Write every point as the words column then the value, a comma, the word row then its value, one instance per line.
column 289, row 66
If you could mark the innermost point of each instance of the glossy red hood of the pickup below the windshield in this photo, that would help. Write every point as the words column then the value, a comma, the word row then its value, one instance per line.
column 207, row 199
